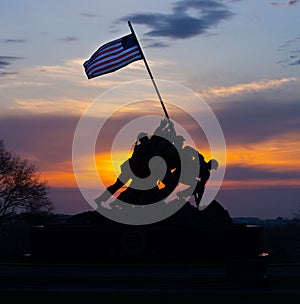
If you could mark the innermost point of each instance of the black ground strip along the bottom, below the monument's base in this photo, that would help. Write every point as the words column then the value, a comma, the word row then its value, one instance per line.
column 57, row 283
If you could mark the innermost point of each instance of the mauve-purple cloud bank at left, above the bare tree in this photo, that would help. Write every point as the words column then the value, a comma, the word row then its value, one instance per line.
column 45, row 139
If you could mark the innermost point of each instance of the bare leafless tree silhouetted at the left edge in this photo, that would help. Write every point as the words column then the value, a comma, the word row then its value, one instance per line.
column 21, row 189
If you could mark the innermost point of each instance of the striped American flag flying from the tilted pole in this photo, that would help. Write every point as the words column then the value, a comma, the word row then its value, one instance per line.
column 113, row 56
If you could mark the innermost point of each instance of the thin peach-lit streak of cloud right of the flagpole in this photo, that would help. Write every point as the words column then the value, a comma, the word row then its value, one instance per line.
column 242, row 88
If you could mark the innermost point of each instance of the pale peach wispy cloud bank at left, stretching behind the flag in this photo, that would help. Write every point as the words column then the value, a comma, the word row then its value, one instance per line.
column 27, row 98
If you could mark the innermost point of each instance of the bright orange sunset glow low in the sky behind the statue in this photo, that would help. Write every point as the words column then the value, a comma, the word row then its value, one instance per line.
column 273, row 155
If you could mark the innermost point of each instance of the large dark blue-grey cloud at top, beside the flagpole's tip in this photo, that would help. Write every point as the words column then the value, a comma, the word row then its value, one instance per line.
column 188, row 19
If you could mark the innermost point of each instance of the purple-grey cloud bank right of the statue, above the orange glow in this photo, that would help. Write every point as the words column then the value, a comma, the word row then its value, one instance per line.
column 252, row 121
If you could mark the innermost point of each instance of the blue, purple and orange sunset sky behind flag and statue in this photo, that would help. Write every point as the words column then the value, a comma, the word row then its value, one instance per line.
column 241, row 57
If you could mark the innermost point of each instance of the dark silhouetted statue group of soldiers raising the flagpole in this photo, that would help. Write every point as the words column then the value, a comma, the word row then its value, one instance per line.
column 183, row 164
